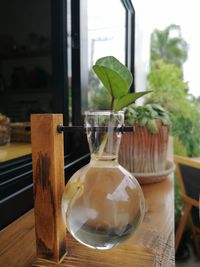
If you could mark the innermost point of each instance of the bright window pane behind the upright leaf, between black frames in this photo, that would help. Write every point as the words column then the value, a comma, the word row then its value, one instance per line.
column 106, row 36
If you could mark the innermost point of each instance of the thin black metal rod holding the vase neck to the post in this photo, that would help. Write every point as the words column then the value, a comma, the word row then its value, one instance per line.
column 71, row 129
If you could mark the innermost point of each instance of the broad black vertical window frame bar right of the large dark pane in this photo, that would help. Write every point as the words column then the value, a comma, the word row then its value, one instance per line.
column 59, row 58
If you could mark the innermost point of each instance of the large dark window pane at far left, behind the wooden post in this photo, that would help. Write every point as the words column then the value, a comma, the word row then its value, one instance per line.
column 25, row 71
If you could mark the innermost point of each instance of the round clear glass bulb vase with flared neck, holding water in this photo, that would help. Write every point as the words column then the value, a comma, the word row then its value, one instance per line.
column 103, row 203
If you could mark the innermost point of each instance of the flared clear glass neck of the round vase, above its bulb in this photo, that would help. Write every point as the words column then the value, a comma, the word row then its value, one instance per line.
column 104, row 141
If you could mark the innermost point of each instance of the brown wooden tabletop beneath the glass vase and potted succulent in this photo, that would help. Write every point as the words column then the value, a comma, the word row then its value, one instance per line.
column 152, row 244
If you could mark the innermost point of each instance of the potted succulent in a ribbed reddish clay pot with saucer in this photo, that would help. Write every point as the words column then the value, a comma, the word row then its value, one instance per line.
column 144, row 152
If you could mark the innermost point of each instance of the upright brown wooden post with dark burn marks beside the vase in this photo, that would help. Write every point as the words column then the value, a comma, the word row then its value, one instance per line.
column 48, row 180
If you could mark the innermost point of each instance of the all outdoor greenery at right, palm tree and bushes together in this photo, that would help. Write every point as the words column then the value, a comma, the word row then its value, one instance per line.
column 165, row 80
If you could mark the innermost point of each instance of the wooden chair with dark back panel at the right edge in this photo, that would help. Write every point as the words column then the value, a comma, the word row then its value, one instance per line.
column 188, row 173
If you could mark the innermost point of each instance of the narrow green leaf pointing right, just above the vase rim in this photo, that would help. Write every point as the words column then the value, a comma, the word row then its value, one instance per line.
column 128, row 99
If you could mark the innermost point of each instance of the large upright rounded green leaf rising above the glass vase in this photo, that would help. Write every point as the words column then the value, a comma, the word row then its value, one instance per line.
column 114, row 75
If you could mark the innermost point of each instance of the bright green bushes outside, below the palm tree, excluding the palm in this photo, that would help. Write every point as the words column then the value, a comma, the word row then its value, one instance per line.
column 171, row 92
